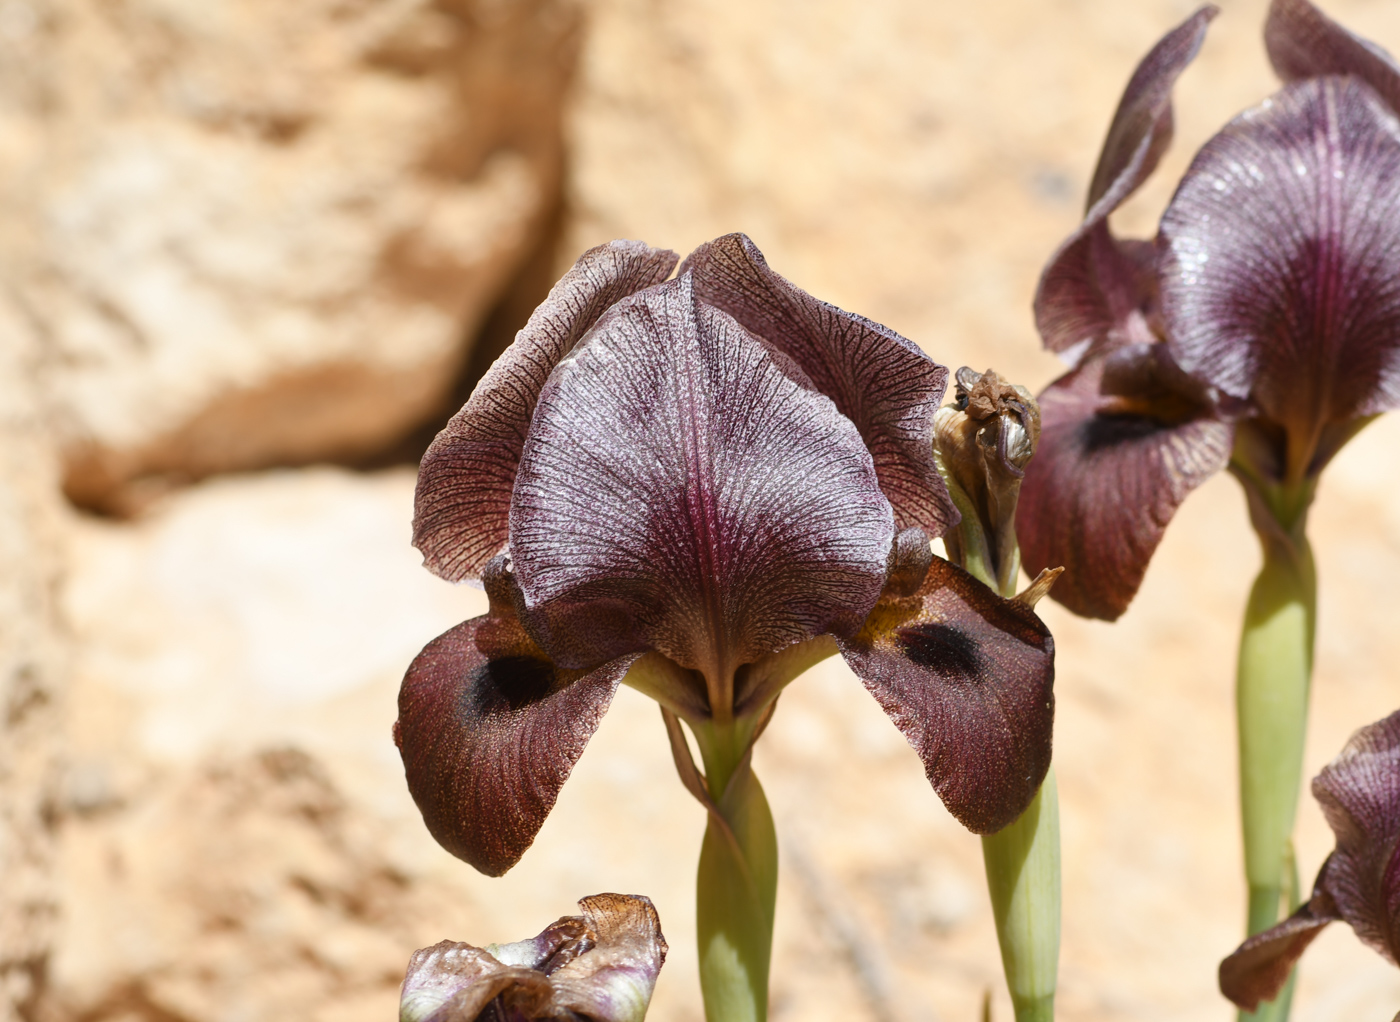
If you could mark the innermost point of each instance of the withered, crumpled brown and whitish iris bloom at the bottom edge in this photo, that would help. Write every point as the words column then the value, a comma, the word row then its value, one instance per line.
column 601, row 965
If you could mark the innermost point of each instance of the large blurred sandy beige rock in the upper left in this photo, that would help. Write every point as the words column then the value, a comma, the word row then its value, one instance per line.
column 265, row 233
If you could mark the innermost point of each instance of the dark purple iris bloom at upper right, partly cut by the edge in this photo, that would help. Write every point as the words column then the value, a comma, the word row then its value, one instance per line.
column 1261, row 328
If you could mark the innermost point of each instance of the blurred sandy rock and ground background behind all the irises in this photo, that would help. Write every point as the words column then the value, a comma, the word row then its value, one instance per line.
column 257, row 253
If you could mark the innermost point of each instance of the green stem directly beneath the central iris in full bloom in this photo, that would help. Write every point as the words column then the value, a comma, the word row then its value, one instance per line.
column 737, row 881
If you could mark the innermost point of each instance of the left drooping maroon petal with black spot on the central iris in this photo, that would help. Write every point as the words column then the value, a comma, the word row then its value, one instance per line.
column 488, row 741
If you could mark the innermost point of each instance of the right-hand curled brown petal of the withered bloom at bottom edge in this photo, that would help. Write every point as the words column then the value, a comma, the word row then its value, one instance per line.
column 614, row 982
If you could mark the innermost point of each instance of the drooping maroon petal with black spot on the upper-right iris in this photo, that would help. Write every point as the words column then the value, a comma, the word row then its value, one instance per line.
column 1109, row 475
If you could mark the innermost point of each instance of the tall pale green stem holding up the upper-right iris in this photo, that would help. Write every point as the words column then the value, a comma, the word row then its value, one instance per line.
column 1276, row 656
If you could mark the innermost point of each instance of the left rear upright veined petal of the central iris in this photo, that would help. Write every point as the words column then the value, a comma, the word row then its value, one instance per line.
column 463, row 505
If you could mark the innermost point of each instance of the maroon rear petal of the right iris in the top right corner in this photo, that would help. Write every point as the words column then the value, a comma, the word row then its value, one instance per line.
column 1305, row 44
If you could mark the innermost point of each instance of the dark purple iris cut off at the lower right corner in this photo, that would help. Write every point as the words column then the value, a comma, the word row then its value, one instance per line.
column 1360, row 883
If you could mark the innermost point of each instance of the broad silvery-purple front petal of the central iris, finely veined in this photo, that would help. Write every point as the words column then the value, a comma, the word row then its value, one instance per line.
column 681, row 492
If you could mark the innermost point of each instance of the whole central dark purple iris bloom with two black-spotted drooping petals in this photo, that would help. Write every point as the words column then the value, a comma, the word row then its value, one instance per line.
column 701, row 486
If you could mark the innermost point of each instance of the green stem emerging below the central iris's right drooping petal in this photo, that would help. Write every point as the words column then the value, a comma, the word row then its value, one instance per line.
column 1024, row 878
